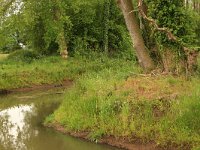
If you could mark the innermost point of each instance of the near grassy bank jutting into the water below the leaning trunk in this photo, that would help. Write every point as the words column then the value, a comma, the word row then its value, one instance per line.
column 116, row 101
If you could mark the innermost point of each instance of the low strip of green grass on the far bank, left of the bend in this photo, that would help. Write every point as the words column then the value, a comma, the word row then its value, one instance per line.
column 19, row 74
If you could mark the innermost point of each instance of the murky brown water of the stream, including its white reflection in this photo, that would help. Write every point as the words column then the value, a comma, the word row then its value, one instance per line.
column 21, row 117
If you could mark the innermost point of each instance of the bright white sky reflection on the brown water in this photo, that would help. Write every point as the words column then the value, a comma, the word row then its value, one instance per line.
column 14, row 126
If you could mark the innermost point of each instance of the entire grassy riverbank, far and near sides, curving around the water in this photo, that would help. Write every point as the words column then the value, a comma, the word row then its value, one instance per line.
column 111, row 98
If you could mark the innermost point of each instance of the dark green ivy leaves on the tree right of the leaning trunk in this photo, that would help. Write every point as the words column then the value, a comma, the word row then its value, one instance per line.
column 173, row 15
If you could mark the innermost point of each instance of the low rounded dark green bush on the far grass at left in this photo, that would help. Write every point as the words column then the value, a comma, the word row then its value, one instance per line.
column 24, row 56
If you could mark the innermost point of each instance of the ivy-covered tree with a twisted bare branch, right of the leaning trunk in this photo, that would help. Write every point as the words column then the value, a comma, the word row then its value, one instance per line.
column 174, row 27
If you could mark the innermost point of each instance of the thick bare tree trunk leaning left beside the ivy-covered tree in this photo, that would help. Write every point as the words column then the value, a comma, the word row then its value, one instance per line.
column 143, row 56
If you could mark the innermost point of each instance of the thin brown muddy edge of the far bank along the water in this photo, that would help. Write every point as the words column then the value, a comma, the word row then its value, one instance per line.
column 64, row 84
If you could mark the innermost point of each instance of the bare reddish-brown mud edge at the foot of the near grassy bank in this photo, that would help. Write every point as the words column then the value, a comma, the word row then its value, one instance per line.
column 121, row 142
